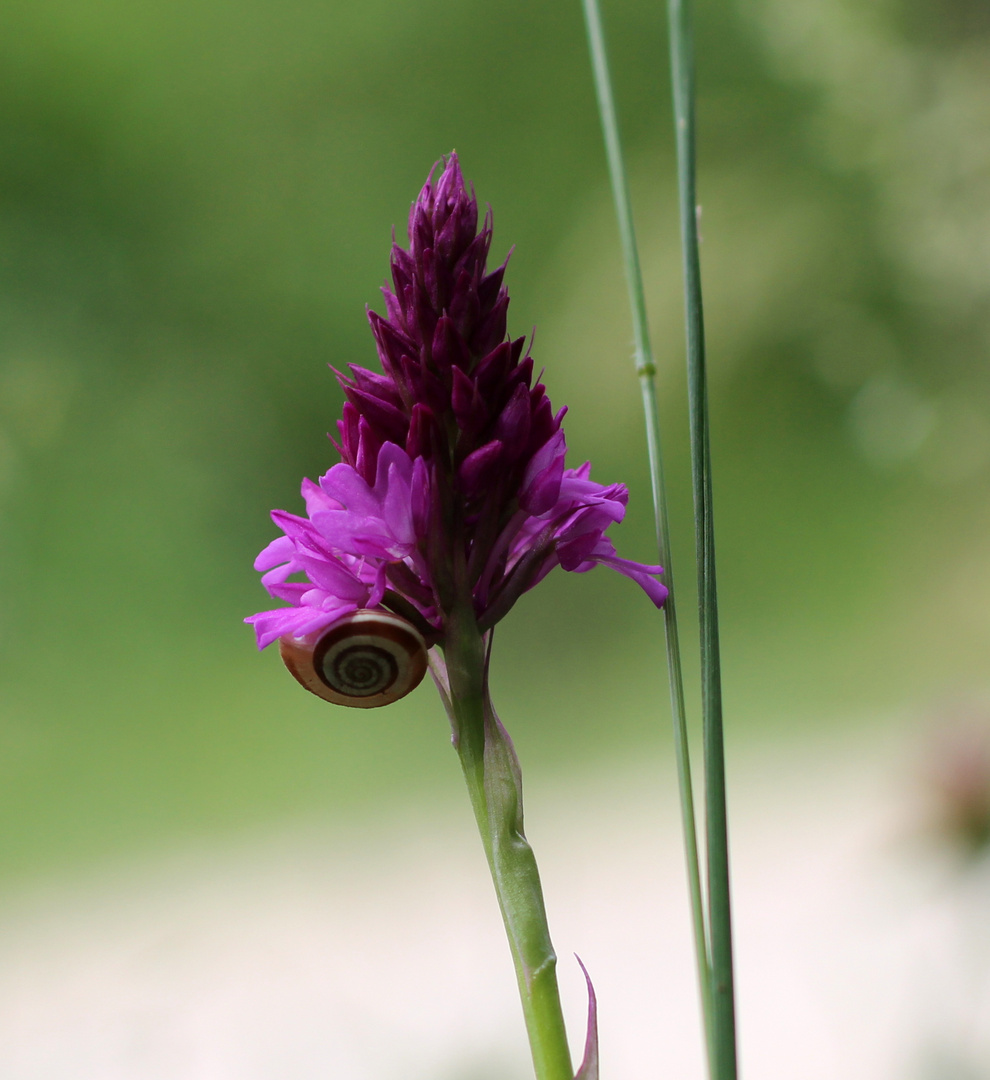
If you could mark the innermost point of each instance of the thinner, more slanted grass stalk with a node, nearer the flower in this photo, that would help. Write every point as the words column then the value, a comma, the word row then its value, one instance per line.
column 646, row 369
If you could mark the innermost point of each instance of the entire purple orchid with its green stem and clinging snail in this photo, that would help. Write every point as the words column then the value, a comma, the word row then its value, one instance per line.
column 451, row 502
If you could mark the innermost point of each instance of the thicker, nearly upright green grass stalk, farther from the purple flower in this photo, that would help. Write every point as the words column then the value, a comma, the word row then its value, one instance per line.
column 717, row 843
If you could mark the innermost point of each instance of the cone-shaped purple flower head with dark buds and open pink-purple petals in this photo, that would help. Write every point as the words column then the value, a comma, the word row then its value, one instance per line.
column 453, row 487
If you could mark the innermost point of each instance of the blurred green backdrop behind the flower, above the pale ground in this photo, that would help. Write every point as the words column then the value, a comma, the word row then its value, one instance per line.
column 196, row 205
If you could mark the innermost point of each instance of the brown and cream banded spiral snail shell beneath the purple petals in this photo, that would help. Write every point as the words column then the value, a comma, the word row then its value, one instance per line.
column 364, row 660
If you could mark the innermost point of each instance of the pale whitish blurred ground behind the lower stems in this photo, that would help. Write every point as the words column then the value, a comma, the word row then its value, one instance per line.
column 376, row 954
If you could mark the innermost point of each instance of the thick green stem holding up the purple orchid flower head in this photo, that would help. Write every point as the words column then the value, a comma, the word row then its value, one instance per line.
column 496, row 789
